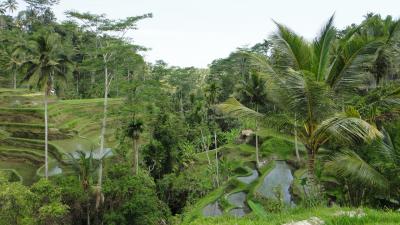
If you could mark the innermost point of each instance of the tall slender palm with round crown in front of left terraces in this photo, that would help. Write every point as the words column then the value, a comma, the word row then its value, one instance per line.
column 46, row 63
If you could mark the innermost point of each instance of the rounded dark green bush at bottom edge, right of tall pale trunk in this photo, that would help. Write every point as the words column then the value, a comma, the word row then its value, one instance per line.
column 132, row 199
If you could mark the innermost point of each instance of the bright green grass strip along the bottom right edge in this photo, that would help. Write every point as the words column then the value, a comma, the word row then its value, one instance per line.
column 328, row 215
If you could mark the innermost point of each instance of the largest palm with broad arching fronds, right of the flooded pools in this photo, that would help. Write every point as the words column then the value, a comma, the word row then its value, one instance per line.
column 299, row 82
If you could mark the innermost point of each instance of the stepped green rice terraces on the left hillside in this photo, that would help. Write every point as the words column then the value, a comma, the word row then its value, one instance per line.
column 73, row 125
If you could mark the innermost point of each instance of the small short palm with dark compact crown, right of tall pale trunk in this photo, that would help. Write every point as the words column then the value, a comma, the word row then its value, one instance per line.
column 135, row 127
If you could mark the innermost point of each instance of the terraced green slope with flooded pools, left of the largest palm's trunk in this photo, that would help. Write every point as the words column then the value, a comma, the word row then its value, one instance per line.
column 248, row 188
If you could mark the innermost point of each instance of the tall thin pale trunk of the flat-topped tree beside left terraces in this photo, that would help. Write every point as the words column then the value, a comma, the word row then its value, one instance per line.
column 103, row 131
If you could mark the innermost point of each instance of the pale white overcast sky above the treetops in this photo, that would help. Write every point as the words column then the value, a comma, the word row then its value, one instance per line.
column 195, row 32
